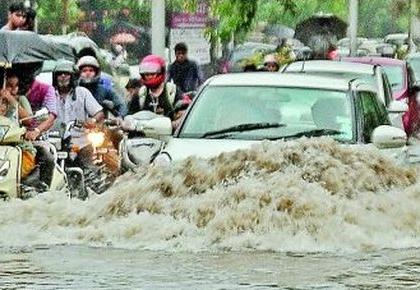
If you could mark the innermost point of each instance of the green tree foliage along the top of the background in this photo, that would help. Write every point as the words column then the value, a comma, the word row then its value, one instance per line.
column 237, row 17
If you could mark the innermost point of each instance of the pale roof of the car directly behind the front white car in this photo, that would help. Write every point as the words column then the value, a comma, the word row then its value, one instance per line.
column 329, row 66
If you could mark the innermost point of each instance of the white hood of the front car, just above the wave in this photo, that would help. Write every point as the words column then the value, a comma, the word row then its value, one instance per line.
column 181, row 148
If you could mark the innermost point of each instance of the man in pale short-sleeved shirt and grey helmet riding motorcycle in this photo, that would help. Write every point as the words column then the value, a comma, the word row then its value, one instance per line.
column 76, row 103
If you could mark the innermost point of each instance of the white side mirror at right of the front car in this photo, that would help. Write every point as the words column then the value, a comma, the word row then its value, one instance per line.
column 388, row 137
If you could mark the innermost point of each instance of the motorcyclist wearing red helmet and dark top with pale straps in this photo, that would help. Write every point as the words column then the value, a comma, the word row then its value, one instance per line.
column 156, row 94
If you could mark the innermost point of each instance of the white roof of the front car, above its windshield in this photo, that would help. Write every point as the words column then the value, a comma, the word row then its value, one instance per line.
column 279, row 80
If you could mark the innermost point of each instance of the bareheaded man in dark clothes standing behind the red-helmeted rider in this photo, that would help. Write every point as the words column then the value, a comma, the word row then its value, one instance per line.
column 184, row 72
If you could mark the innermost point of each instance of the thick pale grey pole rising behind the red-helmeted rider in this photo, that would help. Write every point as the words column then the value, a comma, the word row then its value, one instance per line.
column 158, row 27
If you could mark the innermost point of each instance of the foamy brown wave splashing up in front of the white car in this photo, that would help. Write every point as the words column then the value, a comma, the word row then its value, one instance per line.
column 304, row 195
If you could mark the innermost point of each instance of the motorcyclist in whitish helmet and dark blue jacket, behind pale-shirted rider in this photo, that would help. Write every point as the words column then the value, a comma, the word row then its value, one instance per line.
column 89, row 78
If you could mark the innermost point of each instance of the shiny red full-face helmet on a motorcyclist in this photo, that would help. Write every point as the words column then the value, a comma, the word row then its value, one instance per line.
column 153, row 64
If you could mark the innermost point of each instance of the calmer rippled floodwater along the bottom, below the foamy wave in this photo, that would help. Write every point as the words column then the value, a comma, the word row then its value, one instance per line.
column 67, row 267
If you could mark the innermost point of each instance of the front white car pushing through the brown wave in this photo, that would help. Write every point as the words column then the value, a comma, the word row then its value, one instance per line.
column 233, row 111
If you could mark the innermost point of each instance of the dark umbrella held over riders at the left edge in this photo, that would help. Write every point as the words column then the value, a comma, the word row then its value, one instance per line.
column 23, row 47
